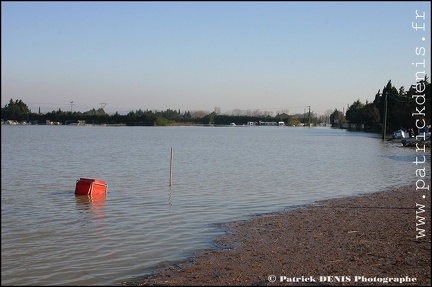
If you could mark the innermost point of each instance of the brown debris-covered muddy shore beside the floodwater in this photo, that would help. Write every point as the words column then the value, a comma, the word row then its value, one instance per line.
column 373, row 236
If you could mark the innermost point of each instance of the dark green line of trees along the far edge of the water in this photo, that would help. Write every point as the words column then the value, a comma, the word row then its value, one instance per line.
column 401, row 109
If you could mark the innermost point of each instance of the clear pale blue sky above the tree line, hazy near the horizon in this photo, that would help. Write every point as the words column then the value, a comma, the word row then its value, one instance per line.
column 269, row 56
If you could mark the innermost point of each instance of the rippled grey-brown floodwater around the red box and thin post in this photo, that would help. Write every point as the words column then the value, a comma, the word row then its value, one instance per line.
column 51, row 237
